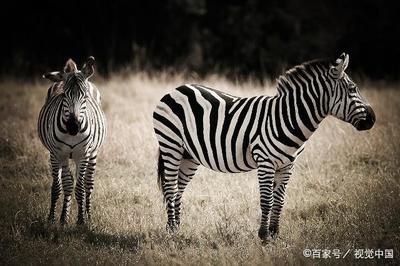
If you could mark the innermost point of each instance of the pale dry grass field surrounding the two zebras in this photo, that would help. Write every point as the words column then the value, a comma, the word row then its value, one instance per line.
column 343, row 195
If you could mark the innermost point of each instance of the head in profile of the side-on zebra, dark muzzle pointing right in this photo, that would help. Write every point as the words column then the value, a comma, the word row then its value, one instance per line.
column 346, row 102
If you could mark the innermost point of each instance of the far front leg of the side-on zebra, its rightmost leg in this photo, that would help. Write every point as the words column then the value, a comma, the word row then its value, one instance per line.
column 282, row 177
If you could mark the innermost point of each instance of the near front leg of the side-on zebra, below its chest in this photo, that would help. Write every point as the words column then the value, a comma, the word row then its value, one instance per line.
column 266, row 172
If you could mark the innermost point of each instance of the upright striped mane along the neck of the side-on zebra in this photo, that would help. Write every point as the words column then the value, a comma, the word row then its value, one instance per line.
column 284, row 82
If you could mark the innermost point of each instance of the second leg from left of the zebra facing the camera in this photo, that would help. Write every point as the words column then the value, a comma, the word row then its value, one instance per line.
column 68, row 186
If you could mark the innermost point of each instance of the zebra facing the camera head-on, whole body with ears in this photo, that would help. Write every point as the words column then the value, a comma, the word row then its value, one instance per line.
column 72, row 125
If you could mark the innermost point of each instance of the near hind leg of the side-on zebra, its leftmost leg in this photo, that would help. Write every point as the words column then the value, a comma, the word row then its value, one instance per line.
column 169, row 162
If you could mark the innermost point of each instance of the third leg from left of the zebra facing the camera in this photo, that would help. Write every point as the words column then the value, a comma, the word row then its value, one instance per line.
column 80, row 189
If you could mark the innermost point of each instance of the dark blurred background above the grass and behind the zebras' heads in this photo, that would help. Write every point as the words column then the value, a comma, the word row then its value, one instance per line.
column 254, row 38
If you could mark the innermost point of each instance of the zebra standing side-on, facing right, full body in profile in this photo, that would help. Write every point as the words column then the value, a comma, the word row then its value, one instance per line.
column 198, row 125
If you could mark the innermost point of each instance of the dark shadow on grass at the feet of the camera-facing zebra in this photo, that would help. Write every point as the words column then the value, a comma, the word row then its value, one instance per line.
column 91, row 235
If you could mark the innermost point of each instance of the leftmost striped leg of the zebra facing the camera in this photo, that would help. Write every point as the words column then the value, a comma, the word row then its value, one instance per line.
column 56, row 186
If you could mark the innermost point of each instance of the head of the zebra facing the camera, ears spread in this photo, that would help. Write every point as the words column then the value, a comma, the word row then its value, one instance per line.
column 75, row 92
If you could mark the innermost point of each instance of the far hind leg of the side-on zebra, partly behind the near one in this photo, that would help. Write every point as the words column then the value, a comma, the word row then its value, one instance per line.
column 186, row 172
